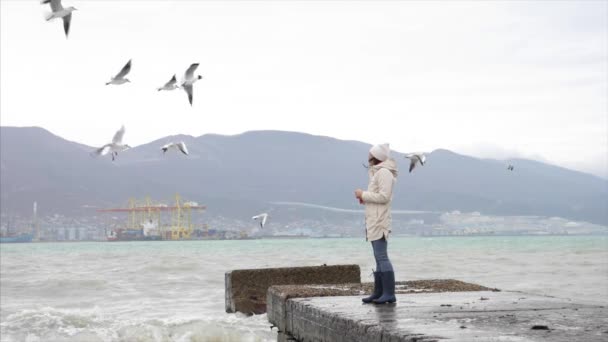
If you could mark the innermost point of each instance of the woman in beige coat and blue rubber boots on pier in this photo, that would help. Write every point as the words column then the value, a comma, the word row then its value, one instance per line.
column 377, row 200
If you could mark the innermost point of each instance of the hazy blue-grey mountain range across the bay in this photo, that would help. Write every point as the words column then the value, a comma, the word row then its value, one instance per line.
column 243, row 174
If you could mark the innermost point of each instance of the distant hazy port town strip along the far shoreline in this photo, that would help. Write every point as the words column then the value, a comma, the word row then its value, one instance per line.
column 99, row 227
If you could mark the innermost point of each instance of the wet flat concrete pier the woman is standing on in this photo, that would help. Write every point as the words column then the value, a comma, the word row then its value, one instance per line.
column 422, row 316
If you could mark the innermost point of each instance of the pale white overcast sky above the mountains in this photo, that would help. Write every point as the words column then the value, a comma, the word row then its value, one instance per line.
column 486, row 78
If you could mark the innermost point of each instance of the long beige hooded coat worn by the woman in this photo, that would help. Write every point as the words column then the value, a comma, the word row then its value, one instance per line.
column 378, row 199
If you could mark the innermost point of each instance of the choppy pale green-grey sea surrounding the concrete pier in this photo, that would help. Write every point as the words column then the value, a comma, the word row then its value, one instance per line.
column 174, row 290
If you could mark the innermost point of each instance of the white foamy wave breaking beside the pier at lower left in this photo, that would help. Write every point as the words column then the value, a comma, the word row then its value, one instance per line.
column 53, row 324
